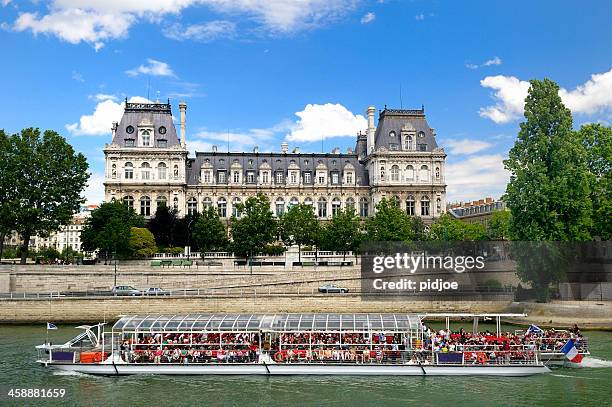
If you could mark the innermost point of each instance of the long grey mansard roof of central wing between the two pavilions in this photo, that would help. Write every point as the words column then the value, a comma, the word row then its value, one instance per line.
column 276, row 161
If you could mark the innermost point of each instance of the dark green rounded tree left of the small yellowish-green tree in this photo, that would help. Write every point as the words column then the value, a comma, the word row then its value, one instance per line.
column 108, row 228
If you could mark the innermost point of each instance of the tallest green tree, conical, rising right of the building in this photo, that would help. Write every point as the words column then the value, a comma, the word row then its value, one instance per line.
column 548, row 194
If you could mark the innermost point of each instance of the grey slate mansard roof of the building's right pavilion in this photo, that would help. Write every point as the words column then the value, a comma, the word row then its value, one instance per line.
column 395, row 119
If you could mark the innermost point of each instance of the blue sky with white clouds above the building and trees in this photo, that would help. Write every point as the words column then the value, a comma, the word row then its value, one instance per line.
column 262, row 71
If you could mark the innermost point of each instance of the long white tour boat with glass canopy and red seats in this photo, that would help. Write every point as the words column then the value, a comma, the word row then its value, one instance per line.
column 289, row 344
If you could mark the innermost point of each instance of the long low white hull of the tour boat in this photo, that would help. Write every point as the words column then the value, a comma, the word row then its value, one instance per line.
column 299, row 369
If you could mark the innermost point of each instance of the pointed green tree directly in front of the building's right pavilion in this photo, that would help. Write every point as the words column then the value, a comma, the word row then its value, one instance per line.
column 389, row 223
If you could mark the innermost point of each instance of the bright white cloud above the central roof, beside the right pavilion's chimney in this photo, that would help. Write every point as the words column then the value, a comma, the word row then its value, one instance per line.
column 324, row 121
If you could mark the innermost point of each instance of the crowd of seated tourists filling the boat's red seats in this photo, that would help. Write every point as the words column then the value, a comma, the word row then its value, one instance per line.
column 355, row 347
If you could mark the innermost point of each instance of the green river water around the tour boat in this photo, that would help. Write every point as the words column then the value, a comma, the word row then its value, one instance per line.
column 590, row 386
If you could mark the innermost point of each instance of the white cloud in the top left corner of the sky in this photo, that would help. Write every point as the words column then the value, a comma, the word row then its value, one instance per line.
column 76, row 25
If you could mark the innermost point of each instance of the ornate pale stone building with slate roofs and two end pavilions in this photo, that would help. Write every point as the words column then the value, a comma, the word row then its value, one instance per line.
column 147, row 165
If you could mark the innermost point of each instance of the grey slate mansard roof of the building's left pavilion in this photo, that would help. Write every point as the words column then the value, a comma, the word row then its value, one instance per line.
column 159, row 114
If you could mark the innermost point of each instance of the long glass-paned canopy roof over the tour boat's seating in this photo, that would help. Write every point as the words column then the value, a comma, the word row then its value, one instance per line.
column 268, row 322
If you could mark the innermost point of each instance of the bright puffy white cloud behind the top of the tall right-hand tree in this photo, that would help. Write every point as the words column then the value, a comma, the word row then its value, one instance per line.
column 594, row 96
